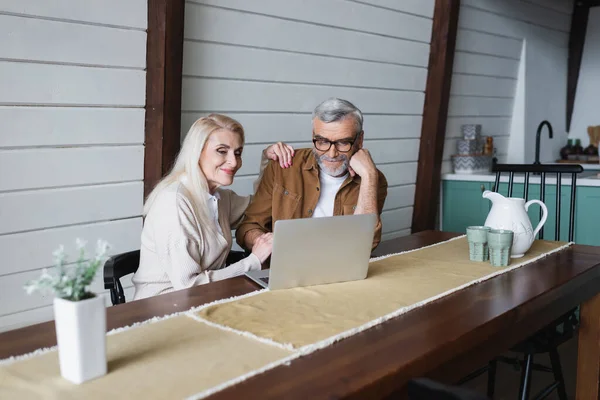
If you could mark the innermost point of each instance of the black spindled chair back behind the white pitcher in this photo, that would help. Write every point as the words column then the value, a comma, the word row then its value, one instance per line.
column 543, row 170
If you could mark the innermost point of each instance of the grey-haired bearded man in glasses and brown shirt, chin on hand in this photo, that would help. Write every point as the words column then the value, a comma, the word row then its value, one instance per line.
column 336, row 177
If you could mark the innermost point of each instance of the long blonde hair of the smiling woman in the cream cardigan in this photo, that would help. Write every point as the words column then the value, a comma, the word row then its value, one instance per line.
column 186, row 164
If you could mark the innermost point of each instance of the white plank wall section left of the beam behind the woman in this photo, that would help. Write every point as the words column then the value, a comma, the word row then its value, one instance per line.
column 72, row 97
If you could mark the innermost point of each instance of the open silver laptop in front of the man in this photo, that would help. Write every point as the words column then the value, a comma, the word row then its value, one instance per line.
column 317, row 251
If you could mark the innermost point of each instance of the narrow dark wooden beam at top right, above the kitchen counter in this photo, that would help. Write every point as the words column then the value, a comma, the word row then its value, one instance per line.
column 579, row 21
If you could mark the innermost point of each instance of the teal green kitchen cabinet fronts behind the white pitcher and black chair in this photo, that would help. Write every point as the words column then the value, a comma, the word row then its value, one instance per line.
column 463, row 206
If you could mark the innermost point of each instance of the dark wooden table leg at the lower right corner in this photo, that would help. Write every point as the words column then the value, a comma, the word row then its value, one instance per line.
column 588, row 355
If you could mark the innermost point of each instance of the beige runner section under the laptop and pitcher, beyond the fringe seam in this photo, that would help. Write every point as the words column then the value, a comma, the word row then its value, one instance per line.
column 303, row 316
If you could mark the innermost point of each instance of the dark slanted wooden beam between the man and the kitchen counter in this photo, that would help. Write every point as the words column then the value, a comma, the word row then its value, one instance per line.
column 435, row 113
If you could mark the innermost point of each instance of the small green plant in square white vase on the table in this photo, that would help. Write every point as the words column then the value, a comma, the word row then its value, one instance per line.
column 80, row 315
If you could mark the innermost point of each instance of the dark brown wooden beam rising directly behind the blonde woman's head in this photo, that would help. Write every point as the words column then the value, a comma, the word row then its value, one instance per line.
column 164, row 61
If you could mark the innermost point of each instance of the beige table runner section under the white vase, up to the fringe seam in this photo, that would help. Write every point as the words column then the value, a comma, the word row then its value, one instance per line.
column 173, row 358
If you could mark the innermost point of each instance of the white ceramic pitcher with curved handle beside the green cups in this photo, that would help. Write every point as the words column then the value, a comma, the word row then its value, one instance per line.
column 511, row 213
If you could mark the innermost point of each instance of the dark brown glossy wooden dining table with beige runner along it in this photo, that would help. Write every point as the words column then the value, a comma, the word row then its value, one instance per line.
column 445, row 339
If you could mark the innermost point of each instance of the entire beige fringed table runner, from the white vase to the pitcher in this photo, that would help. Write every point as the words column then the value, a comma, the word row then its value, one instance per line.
column 204, row 350
